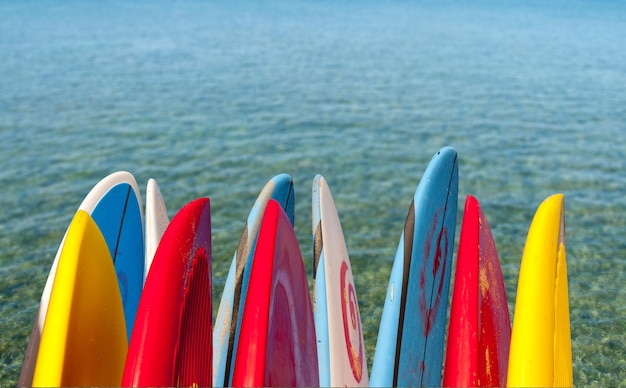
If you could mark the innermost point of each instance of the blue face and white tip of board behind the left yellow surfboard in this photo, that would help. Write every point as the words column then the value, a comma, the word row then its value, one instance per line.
column 118, row 212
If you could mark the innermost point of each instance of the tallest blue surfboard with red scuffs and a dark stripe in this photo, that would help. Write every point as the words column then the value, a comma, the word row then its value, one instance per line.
column 410, row 344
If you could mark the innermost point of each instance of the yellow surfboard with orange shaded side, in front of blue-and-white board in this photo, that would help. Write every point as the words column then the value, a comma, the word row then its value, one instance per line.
column 83, row 342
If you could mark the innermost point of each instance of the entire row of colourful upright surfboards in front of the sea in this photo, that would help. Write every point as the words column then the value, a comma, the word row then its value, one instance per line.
column 128, row 301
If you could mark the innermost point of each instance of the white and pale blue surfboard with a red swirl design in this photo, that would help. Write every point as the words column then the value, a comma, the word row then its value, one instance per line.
column 340, row 350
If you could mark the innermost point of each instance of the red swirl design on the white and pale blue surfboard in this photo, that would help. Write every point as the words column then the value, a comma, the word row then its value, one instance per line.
column 351, row 324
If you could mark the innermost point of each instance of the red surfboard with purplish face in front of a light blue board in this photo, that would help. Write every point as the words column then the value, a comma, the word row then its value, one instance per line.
column 277, row 339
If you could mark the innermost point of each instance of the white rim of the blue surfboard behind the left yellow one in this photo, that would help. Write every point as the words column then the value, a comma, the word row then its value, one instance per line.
column 89, row 205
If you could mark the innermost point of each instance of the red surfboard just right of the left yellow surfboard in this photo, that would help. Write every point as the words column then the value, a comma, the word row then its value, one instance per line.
column 171, row 341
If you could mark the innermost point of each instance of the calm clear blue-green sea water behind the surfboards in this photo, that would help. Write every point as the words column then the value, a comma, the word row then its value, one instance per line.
column 214, row 98
